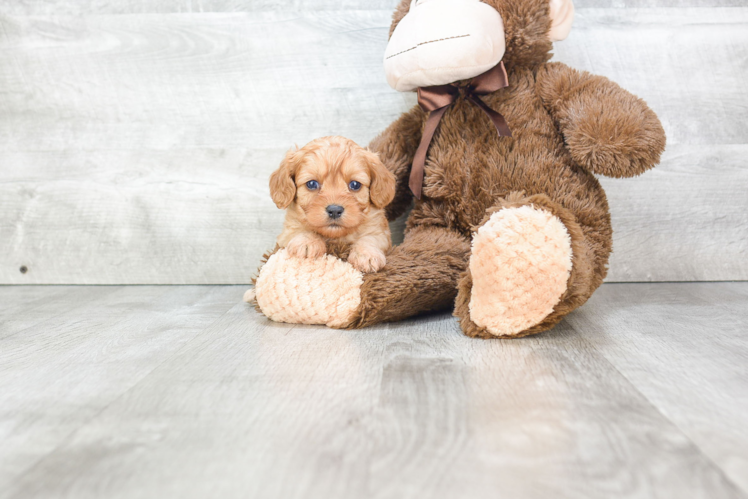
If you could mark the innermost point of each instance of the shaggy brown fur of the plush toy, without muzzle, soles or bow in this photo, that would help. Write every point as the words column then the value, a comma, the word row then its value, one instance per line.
column 566, row 125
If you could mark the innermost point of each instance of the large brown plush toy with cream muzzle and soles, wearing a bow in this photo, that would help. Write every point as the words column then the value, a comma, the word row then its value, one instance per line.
column 511, row 228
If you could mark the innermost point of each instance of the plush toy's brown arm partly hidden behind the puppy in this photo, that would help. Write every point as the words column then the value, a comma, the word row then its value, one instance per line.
column 396, row 147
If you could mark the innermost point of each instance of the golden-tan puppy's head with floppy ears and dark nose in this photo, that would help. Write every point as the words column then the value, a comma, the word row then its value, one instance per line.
column 332, row 183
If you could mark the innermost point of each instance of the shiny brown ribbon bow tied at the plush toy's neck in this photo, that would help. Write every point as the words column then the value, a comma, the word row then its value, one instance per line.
column 436, row 100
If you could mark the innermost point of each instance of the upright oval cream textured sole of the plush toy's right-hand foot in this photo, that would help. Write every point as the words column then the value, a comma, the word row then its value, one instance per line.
column 521, row 261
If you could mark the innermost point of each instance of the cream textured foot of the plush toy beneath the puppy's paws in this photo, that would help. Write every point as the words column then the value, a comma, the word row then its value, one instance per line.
column 323, row 291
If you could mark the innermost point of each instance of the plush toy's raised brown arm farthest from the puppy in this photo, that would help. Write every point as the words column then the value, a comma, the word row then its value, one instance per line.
column 608, row 130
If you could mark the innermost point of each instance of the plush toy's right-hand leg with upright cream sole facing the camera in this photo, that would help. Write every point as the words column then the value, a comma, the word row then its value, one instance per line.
column 530, row 265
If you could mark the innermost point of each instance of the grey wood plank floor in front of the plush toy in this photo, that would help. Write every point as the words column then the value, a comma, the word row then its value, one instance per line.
column 185, row 392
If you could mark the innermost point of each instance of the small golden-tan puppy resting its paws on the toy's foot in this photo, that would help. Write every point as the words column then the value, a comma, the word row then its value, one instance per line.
column 334, row 192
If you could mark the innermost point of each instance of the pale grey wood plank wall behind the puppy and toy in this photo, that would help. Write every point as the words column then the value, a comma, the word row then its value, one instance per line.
column 137, row 136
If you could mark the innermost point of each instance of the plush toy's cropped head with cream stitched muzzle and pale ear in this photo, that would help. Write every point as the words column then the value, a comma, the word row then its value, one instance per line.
column 435, row 42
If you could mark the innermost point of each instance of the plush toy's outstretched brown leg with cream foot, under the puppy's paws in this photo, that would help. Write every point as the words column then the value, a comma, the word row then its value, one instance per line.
column 420, row 275
